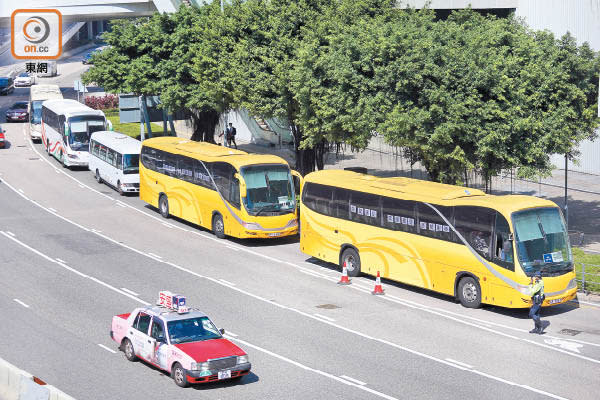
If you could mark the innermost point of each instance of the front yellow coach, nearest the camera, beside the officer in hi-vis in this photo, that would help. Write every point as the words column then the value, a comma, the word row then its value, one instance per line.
column 462, row 242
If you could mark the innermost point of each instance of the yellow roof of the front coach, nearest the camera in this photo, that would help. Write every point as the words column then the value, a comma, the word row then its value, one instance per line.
column 426, row 191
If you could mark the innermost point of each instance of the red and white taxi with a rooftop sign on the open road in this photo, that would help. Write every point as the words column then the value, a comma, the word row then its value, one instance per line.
column 181, row 341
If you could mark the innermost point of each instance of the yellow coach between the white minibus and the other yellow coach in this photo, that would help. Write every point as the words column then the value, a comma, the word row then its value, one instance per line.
column 228, row 191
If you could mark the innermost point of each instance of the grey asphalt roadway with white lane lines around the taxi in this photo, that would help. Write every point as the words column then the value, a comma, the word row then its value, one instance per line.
column 74, row 251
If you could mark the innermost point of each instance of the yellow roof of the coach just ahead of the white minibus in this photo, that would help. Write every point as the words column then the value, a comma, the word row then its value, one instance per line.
column 211, row 152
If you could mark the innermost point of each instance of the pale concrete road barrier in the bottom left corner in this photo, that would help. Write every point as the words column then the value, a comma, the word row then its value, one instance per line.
column 16, row 384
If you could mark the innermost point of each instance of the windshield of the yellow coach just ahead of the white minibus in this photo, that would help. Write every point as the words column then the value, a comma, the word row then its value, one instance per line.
column 269, row 189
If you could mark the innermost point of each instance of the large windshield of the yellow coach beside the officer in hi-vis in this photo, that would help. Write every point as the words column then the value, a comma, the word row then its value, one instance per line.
column 542, row 241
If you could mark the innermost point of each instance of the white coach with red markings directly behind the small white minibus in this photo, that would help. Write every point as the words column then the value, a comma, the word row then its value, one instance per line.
column 66, row 129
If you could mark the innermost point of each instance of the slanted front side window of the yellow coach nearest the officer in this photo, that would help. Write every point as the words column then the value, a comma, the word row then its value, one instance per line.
column 475, row 225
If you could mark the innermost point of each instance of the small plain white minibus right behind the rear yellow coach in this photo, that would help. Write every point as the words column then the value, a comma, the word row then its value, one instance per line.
column 115, row 159
